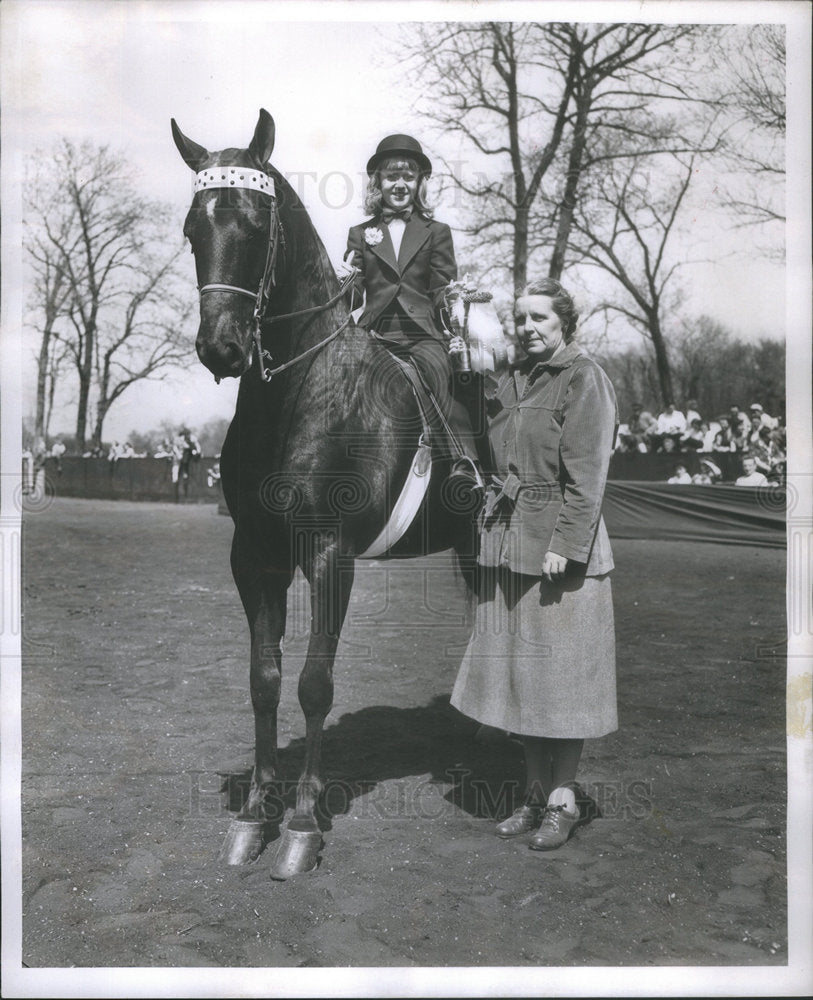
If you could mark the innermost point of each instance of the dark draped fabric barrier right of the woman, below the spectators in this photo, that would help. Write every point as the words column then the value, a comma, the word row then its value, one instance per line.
column 734, row 515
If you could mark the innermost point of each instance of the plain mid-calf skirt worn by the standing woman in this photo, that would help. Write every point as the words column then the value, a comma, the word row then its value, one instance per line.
column 541, row 658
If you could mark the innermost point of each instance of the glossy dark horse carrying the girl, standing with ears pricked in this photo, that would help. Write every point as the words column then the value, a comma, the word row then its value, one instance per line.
column 326, row 433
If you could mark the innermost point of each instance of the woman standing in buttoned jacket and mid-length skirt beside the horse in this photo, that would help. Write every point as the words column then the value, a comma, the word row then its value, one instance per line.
column 541, row 660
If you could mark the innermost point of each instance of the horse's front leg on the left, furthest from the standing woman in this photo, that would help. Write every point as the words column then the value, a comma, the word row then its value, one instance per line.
column 264, row 599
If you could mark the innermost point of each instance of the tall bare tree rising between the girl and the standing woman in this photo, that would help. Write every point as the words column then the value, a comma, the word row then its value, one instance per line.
column 501, row 87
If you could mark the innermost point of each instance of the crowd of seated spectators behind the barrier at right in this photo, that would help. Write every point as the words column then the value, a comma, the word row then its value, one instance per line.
column 756, row 438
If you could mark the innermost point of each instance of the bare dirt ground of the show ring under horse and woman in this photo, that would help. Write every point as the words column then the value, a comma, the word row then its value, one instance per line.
column 136, row 704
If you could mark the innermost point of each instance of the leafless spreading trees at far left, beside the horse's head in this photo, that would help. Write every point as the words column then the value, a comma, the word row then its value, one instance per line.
column 101, row 267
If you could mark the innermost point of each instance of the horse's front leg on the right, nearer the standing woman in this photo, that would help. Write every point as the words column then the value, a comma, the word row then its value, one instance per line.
column 331, row 580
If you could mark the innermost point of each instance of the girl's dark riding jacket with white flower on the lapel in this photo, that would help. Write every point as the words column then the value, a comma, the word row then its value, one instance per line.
column 413, row 283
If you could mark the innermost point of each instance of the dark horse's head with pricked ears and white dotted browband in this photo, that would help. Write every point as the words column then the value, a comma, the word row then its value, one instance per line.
column 233, row 227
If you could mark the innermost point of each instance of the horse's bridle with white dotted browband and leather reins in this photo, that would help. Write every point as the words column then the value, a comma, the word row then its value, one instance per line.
column 257, row 180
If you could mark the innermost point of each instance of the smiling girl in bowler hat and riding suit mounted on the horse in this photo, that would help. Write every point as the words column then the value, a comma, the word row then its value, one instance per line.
column 403, row 261
